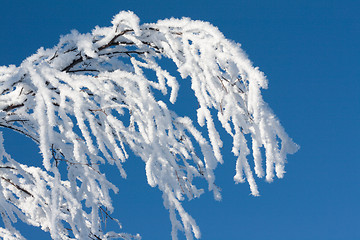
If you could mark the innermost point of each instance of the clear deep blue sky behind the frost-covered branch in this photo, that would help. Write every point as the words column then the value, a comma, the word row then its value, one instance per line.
column 309, row 51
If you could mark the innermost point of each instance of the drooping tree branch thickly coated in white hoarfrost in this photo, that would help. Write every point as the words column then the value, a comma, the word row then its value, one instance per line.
column 88, row 101
